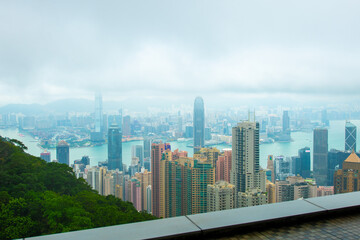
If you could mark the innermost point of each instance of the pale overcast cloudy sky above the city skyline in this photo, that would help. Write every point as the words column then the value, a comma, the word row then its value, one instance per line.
column 176, row 50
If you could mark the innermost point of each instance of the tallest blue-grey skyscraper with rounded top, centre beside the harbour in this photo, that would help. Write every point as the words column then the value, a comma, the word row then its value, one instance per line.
column 199, row 124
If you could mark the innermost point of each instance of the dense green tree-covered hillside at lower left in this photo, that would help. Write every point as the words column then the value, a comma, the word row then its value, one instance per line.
column 38, row 198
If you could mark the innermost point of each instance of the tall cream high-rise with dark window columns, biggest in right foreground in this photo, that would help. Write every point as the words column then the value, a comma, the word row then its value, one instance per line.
column 245, row 169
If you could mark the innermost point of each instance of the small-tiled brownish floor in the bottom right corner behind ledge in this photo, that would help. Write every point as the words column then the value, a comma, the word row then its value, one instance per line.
column 339, row 227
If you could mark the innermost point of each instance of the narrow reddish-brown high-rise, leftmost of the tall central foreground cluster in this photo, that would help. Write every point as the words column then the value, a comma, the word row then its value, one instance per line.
column 156, row 179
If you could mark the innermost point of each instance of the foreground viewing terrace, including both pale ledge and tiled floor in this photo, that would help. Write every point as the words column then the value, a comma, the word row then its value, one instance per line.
column 329, row 217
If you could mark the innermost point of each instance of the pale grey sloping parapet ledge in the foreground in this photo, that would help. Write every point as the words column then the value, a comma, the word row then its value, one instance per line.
column 223, row 222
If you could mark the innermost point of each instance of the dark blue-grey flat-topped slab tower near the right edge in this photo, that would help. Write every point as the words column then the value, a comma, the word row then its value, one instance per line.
column 320, row 156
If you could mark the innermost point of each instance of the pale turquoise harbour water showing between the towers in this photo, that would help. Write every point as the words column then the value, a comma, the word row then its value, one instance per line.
column 99, row 153
